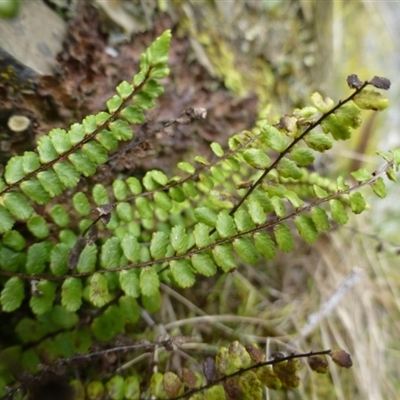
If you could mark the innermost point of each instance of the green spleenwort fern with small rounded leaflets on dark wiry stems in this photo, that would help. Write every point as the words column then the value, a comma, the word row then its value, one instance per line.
column 108, row 252
